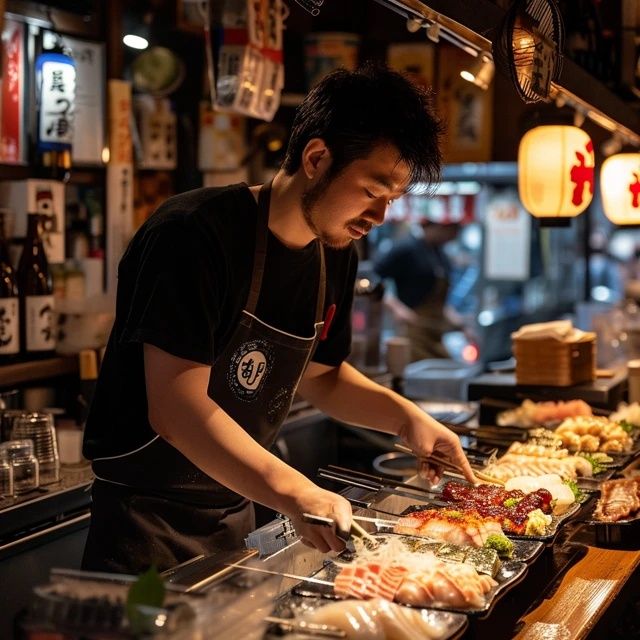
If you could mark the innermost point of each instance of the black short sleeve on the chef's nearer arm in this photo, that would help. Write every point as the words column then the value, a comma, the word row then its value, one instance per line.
column 166, row 292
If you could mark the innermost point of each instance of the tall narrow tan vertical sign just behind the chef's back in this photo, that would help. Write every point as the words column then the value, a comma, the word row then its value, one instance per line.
column 119, row 225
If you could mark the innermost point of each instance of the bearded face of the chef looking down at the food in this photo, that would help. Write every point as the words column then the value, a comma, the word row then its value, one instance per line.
column 346, row 207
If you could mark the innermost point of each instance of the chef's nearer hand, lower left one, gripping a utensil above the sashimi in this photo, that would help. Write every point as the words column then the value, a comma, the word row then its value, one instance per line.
column 318, row 502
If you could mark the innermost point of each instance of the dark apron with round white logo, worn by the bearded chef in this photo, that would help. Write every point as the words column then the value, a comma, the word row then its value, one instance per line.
column 152, row 505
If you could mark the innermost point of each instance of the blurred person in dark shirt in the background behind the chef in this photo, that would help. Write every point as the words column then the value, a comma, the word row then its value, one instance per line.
column 420, row 270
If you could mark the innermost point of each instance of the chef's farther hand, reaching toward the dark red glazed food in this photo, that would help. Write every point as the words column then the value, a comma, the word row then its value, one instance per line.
column 426, row 436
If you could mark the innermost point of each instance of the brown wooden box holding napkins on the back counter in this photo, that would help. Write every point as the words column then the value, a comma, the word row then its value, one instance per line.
column 556, row 363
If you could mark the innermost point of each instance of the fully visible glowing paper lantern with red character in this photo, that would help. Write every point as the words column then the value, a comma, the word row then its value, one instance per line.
column 555, row 171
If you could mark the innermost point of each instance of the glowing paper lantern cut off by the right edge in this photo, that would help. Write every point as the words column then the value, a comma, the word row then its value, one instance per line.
column 620, row 187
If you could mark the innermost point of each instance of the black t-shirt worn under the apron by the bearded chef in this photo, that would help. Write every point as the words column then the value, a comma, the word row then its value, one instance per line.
column 182, row 285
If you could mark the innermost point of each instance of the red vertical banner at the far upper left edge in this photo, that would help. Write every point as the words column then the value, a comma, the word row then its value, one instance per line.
column 12, row 93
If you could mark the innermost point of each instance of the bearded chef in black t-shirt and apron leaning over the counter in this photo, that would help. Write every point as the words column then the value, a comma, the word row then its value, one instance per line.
column 223, row 296
